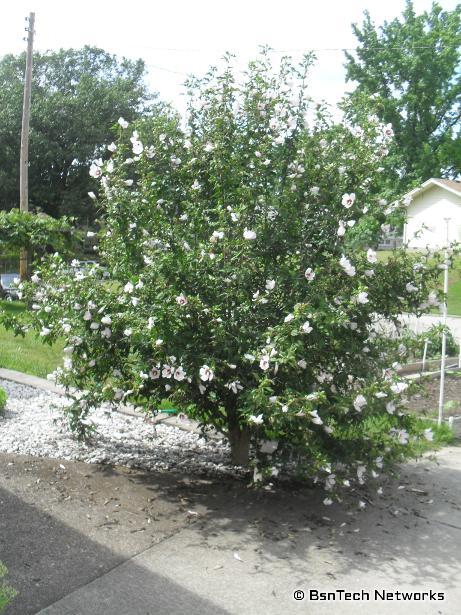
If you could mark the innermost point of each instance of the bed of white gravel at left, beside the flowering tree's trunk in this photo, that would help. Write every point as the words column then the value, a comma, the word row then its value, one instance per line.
column 34, row 424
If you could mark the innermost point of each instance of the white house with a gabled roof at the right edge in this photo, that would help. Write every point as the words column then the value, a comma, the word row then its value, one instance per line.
column 433, row 214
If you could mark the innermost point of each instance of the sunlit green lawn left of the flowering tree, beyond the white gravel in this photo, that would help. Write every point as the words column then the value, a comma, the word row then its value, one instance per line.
column 28, row 354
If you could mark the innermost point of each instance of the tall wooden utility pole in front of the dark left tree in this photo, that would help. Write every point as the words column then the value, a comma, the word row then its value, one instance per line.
column 24, row 158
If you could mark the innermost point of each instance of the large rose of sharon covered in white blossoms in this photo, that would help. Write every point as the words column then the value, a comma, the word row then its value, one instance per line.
column 226, row 284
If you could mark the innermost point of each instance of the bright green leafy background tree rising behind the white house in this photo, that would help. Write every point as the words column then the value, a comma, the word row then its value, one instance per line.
column 408, row 73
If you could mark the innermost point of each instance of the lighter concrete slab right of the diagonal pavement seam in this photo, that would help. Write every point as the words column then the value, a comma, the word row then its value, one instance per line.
column 247, row 558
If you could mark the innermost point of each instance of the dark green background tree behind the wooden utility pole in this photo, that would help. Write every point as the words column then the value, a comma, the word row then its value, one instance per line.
column 77, row 95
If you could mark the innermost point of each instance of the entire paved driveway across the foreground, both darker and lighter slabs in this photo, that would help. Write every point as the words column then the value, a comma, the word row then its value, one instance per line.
column 217, row 548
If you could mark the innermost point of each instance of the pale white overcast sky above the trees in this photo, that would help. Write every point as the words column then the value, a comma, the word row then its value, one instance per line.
column 177, row 37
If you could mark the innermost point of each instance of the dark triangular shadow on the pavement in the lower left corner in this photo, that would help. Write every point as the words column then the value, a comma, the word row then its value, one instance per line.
column 47, row 560
